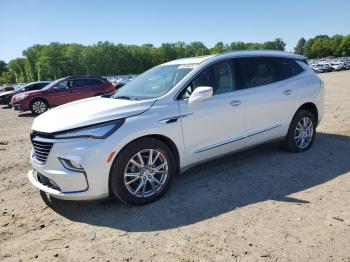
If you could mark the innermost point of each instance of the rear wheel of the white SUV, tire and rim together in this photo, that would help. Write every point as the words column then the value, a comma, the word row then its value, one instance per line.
column 302, row 126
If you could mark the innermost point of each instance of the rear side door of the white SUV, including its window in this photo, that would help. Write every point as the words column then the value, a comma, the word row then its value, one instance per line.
column 270, row 98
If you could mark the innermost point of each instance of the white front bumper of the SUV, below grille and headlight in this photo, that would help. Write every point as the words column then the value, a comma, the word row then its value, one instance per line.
column 89, row 184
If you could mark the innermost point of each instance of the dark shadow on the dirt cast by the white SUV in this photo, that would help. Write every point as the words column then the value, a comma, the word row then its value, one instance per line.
column 220, row 186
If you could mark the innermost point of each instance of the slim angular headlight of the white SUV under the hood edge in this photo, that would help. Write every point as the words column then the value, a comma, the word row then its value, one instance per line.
column 98, row 131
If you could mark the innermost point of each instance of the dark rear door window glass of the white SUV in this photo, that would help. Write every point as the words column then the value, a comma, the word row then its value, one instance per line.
column 257, row 71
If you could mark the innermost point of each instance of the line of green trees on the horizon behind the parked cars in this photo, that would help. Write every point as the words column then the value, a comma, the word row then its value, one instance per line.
column 55, row 60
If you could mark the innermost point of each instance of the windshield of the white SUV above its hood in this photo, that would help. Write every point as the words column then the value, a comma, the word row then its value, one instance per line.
column 154, row 82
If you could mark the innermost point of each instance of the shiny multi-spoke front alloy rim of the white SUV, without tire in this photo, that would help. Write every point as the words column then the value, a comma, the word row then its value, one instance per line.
column 146, row 173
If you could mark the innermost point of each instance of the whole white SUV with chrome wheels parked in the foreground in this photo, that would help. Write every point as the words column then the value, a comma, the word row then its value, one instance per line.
column 174, row 116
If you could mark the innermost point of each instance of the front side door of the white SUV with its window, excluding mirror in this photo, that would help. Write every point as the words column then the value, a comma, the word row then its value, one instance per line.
column 215, row 126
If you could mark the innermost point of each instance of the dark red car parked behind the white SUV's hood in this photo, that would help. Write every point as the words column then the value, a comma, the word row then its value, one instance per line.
column 61, row 91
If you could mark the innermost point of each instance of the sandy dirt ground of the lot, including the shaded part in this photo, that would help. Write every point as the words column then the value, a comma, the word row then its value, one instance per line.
column 260, row 205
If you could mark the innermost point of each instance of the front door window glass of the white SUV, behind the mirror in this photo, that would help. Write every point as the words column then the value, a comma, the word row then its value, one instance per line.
column 220, row 76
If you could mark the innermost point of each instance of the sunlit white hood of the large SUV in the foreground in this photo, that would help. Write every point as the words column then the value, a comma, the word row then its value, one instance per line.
column 87, row 112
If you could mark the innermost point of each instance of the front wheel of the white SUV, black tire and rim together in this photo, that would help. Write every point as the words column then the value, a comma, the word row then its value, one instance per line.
column 139, row 186
